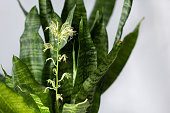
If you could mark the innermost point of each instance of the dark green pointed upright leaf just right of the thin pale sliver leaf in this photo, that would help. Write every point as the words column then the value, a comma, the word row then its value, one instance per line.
column 87, row 56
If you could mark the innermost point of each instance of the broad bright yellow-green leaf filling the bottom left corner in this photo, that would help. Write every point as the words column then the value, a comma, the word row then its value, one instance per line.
column 12, row 102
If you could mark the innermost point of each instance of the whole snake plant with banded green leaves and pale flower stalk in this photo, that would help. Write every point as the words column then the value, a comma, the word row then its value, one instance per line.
column 70, row 71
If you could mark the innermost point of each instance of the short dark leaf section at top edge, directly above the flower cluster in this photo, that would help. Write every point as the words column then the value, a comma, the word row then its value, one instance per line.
column 68, row 5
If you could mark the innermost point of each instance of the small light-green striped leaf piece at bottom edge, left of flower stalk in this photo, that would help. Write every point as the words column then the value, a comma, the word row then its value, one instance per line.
column 43, row 109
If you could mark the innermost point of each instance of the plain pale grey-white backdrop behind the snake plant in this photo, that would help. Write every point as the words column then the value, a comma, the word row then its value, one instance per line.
column 144, row 84
